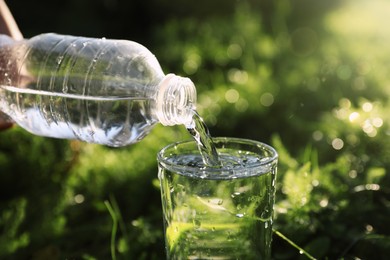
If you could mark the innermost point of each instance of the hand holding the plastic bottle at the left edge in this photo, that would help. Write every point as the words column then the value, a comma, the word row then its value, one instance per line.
column 9, row 27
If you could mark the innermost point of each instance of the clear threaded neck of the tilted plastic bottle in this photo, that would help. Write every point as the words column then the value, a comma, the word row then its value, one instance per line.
column 176, row 100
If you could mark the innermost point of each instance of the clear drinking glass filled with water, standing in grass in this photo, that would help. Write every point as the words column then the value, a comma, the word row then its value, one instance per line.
column 218, row 212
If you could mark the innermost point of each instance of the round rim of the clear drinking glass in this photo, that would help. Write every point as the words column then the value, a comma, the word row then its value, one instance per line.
column 163, row 160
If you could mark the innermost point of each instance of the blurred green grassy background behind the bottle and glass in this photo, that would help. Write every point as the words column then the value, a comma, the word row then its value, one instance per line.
column 310, row 78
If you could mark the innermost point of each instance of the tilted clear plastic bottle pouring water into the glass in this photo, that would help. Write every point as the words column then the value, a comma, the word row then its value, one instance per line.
column 110, row 92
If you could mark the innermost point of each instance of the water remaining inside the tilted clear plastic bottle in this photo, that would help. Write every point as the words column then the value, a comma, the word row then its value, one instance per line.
column 113, row 121
